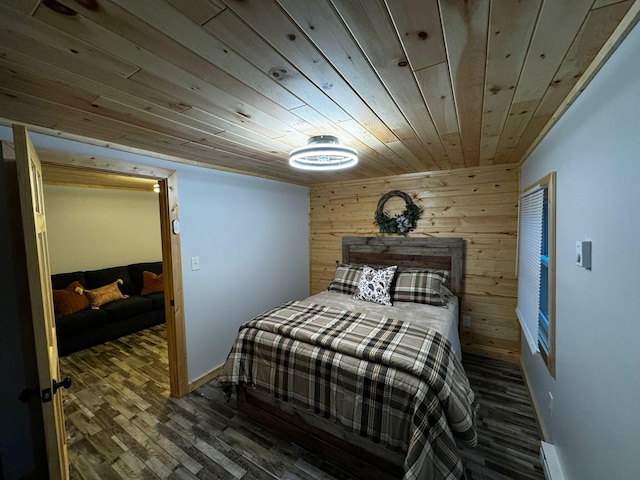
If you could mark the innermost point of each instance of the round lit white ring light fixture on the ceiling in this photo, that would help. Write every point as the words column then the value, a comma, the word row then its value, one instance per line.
column 323, row 152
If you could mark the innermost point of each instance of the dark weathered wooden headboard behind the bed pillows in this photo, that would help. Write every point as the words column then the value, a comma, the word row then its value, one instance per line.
column 437, row 253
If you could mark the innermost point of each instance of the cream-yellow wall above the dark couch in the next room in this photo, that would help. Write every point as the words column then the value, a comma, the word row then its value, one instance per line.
column 92, row 228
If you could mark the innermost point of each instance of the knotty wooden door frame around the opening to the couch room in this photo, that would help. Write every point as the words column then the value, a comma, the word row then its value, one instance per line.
column 171, row 253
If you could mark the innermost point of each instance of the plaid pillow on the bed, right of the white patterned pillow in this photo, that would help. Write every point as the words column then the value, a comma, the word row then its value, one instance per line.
column 420, row 286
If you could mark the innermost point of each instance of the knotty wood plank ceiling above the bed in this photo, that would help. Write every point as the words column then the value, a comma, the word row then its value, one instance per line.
column 414, row 85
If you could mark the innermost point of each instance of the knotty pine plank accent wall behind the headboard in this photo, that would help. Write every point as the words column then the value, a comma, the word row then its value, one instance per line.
column 479, row 204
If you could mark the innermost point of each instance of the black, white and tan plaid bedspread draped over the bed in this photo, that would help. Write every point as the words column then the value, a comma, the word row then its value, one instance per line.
column 388, row 380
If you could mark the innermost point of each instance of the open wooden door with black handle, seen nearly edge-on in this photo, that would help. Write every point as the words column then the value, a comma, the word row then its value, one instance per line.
column 29, row 171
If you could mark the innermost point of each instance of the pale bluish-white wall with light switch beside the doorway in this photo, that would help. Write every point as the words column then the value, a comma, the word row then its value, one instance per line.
column 252, row 238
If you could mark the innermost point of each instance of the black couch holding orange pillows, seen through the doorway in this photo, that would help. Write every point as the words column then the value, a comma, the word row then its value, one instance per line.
column 121, row 317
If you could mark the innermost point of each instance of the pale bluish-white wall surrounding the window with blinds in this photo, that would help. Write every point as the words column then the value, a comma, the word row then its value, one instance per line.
column 595, row 148
